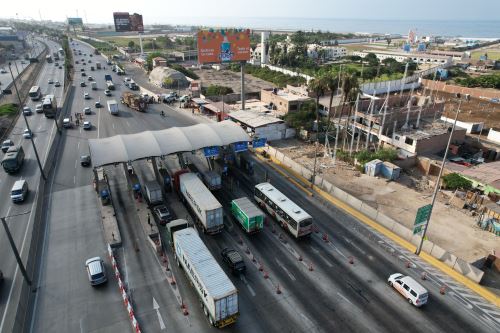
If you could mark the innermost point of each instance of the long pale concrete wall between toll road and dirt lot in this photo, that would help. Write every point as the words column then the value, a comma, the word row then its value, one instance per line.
column 444, row 256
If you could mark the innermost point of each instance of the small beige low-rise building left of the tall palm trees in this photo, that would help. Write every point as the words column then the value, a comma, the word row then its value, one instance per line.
column 282, row 100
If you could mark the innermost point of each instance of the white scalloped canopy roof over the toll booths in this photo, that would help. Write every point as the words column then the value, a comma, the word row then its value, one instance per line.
column 131, row 147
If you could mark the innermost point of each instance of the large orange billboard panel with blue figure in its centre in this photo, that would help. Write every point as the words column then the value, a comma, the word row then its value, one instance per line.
column 223, row 45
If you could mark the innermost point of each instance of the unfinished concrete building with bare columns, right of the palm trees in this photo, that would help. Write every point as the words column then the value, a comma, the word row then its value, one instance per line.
column 409, row 123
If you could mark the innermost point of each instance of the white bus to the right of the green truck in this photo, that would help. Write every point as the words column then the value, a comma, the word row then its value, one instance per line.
column 290, row 216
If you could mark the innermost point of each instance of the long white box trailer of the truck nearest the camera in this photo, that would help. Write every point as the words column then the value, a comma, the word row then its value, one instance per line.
column 218, row 295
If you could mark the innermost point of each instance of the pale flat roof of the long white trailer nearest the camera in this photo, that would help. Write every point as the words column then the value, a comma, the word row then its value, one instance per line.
column 213, row 277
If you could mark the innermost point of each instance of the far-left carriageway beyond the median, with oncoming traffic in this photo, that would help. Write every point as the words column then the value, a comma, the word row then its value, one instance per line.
column 20, row 225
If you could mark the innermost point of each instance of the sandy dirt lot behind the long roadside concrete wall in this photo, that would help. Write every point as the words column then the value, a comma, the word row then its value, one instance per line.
column 450, row 228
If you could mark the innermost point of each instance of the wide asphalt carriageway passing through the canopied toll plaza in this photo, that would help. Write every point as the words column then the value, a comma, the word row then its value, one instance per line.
column 322, row 292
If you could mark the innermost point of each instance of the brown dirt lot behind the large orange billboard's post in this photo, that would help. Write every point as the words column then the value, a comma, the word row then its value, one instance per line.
column 231, row 79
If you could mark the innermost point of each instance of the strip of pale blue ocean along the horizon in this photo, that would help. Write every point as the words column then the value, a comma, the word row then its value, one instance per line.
column 466, row 29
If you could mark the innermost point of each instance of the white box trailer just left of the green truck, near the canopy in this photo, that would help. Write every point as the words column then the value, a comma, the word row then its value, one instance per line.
column 202, row 202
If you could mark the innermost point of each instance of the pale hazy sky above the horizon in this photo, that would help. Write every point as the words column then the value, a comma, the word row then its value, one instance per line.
column 159, row 11
